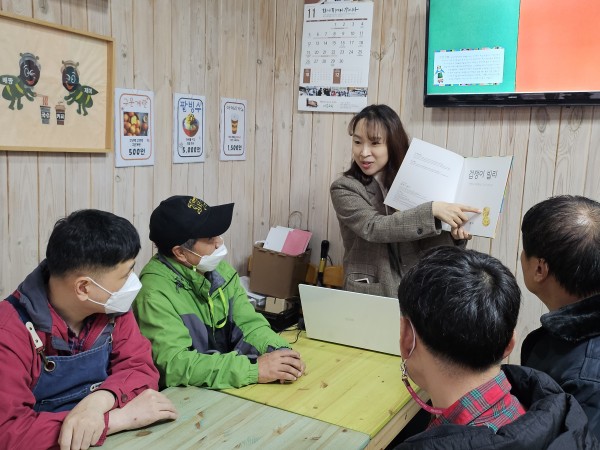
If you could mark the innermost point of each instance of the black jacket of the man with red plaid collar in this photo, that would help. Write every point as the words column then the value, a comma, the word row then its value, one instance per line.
column 554, row 420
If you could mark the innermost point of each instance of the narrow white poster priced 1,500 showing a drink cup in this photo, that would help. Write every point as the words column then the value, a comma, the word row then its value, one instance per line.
column 233, row 129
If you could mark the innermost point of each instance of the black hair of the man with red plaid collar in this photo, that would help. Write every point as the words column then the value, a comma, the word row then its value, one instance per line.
column 463, row 305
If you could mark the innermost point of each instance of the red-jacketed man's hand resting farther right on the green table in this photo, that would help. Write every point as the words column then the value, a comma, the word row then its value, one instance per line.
column 145, row 409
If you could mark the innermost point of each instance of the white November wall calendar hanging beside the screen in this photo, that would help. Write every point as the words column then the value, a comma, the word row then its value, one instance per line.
column 336, row 48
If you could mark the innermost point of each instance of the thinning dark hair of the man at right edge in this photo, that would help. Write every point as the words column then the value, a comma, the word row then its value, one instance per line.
column 565, row 232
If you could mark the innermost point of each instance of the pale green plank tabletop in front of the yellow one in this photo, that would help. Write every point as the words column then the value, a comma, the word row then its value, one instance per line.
column 213, row 420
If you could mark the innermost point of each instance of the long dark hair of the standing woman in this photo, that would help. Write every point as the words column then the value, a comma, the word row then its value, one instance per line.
column 381, row 117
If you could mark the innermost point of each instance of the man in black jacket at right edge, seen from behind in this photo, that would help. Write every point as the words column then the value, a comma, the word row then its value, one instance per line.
column 561, row 266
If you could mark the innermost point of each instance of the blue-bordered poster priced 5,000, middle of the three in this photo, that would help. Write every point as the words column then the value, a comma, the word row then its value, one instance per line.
column 188, row 128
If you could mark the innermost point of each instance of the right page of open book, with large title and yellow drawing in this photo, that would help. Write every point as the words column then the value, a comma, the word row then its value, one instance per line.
column 483, row 185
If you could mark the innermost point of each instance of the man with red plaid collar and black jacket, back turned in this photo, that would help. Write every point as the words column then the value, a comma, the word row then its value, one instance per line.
column 459, row 311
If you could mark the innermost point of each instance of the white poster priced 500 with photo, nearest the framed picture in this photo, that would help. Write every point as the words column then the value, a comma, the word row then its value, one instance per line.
column 134, row 128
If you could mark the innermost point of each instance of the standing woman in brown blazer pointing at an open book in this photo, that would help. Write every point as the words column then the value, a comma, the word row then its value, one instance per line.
column 381, row 243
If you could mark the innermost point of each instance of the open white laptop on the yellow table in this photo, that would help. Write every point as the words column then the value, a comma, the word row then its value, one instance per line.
column 351, row 318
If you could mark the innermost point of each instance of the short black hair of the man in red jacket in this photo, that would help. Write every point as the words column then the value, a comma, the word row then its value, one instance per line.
column 90, row 240
